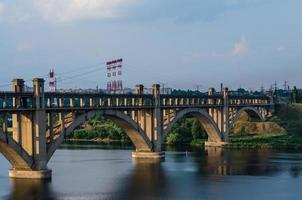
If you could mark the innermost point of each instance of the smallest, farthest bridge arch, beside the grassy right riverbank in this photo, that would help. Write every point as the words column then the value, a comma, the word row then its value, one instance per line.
column 252, row 112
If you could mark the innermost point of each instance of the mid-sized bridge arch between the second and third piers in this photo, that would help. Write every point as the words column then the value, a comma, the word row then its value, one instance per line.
column 212, row 130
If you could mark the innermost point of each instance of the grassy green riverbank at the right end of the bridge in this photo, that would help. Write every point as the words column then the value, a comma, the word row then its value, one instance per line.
column 285, row 131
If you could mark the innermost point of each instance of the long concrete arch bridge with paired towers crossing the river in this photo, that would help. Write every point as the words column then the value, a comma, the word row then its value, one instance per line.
column 36, row 122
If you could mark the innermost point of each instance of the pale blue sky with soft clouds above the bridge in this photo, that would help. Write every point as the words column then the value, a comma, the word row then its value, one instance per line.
column 179, row 43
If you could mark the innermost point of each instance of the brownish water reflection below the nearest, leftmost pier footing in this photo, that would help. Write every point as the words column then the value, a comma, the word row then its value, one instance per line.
column 30, row 189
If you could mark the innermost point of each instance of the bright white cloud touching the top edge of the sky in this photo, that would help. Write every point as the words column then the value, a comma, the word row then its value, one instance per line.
column 71, row 10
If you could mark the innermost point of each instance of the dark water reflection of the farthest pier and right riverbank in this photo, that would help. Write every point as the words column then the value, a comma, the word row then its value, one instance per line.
column 218, row 161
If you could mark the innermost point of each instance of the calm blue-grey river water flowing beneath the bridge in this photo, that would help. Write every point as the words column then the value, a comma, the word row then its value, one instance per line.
column 103, row 172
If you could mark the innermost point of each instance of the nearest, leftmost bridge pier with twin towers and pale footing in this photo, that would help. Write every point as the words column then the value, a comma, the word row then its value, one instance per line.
column 29, row 133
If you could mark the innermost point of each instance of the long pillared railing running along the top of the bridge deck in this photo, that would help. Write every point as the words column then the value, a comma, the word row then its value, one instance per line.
column 98, row 100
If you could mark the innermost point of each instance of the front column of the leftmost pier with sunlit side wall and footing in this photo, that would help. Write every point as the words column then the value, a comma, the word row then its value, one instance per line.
column 33, row 138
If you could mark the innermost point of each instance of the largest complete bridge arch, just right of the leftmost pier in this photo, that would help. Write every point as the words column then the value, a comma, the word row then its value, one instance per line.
column 129, row 126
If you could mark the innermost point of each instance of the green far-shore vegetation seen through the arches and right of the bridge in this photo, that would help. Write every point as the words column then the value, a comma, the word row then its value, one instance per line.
column 282, row 131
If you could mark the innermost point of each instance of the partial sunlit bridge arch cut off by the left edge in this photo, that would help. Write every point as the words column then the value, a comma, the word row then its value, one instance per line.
column 14, row 153
